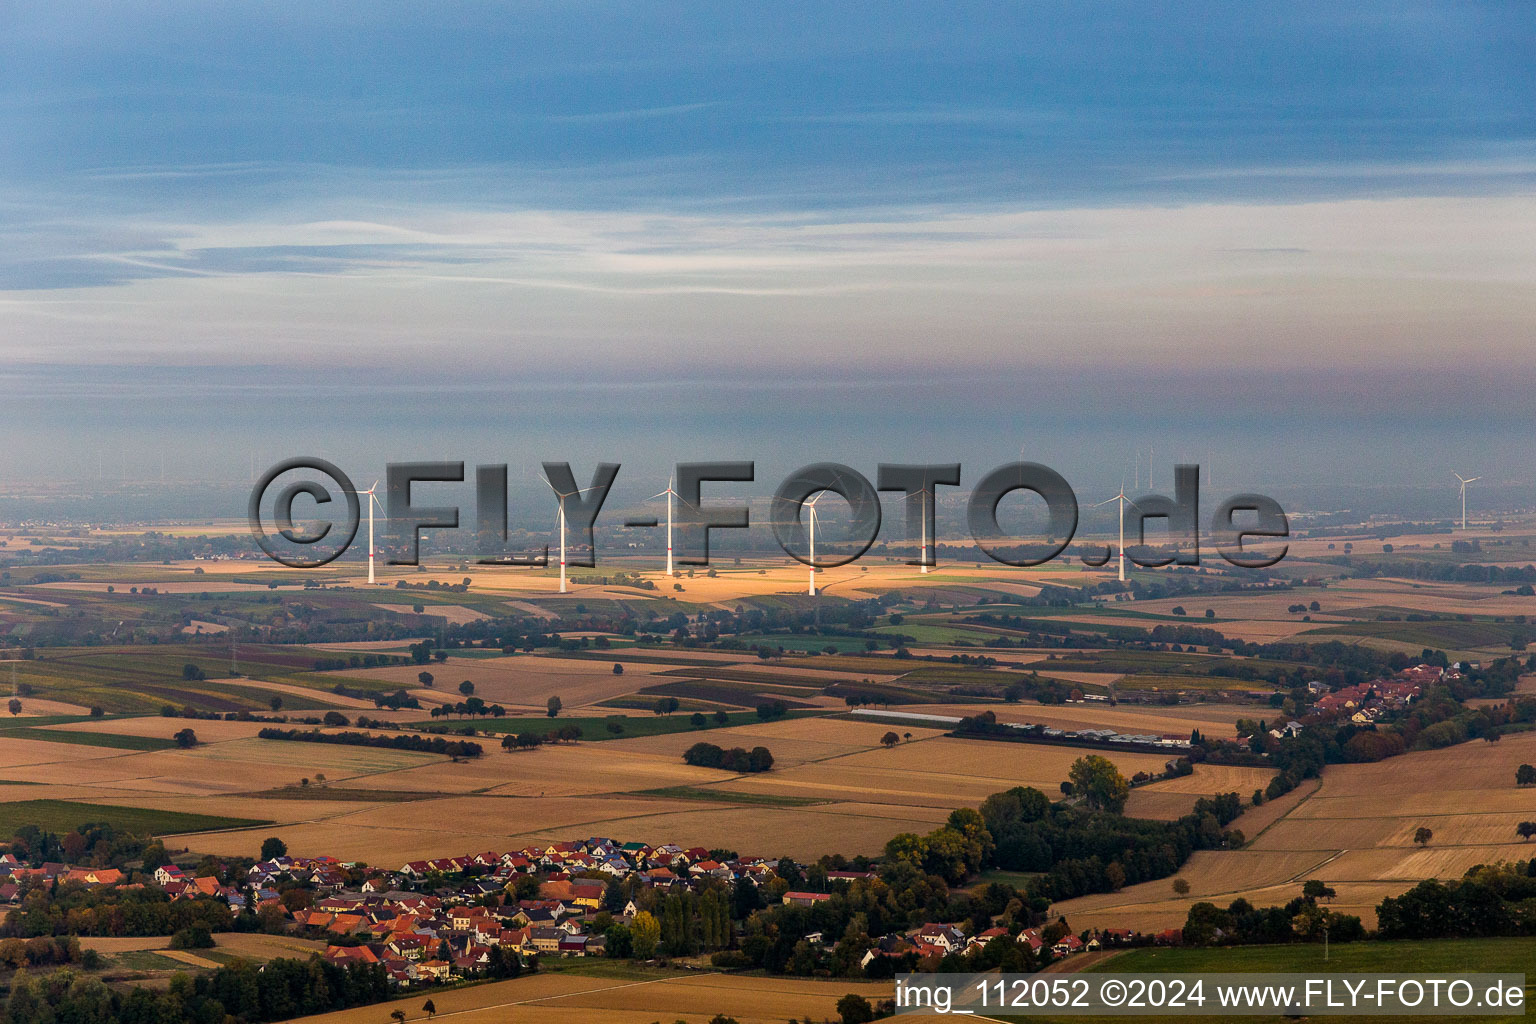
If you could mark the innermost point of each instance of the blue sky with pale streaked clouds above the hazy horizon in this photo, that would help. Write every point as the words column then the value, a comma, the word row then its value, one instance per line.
column 1288, row 240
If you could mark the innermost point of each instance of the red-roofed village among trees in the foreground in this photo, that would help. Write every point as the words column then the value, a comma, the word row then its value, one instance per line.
column 443, row 920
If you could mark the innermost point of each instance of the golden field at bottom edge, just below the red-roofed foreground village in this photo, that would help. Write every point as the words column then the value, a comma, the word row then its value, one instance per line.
column 569, row 999
